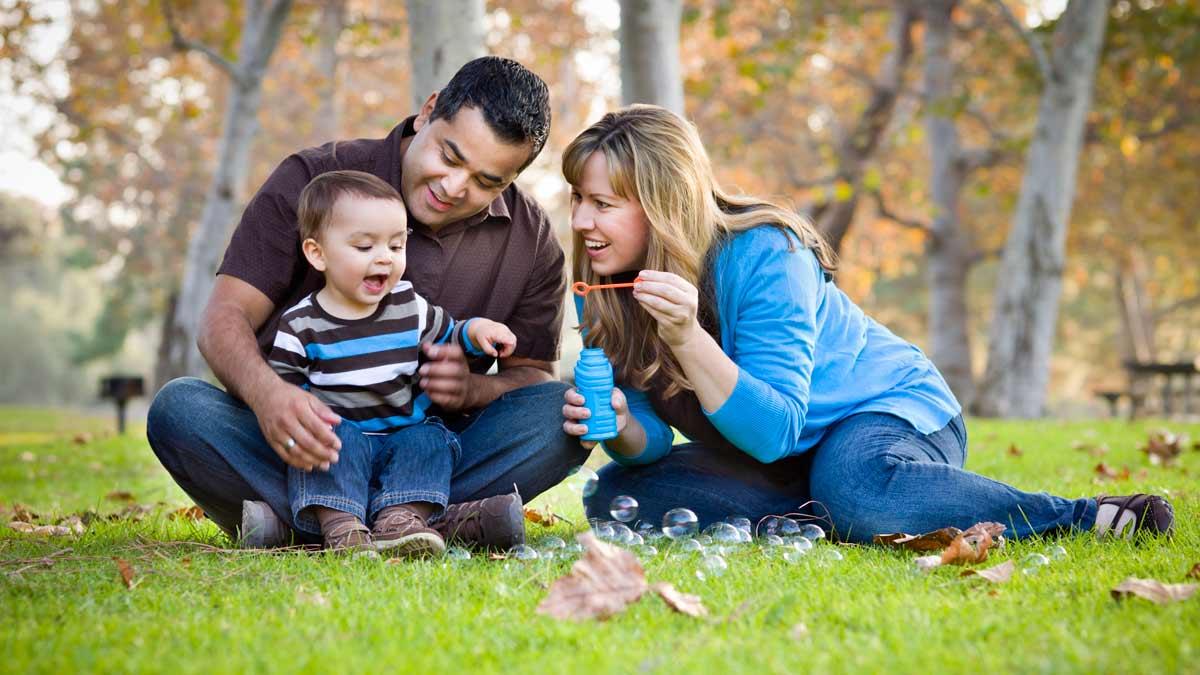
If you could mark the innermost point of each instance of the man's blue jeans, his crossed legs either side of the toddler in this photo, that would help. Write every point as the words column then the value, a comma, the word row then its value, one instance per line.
column 212, row 446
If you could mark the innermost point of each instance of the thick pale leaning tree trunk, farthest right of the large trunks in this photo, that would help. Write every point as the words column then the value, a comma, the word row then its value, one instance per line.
column 1030, row 280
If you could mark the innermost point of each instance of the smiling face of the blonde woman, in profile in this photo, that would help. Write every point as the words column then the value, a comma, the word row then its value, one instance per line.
column 615, row 231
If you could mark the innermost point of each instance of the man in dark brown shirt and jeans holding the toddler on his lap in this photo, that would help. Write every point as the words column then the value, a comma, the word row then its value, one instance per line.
column 479, row 248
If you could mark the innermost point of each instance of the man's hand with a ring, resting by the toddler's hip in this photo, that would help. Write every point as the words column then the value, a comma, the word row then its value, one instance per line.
column 298, row 427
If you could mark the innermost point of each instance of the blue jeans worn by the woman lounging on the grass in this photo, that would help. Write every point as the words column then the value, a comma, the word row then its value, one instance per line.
column 873, row 473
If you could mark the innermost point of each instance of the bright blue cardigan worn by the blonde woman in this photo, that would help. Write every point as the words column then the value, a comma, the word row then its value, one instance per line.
column 807, row 357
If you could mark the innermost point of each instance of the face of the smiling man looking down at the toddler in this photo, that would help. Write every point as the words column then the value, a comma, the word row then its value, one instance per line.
column 454, row 169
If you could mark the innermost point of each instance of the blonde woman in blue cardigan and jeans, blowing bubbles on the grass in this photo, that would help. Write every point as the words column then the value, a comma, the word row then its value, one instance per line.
column 736, row 334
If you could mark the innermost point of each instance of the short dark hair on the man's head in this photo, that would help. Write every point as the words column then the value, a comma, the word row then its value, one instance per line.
column 514, row 101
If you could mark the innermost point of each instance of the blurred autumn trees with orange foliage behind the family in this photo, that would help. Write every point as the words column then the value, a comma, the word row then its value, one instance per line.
column 1028, row 250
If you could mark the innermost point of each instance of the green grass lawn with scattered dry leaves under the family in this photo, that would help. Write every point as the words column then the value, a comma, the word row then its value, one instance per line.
column 199, row 607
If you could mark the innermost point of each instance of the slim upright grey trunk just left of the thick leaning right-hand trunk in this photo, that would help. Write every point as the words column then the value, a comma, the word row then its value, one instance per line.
column 949, row 249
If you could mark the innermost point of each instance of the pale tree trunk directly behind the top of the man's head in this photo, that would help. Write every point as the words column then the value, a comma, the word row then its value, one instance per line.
column 443, row 37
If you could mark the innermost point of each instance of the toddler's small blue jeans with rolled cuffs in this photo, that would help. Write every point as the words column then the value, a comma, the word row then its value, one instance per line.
column 377, row 471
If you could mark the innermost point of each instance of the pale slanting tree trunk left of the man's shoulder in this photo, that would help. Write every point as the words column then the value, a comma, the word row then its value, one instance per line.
column 260, row 37
